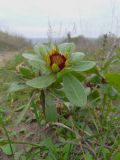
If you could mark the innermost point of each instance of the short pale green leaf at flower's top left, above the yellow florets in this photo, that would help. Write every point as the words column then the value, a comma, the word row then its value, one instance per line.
column 41, row 49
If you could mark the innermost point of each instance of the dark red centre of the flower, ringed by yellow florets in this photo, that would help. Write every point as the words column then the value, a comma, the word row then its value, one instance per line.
column 59, row 59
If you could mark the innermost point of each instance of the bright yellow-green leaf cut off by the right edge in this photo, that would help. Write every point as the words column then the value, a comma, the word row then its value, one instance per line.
column 114, row 80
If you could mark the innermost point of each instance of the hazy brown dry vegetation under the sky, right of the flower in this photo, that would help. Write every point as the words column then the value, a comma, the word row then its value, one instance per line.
column 92, row 45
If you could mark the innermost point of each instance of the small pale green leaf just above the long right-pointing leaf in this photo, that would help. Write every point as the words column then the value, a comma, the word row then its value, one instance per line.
column 77, row 57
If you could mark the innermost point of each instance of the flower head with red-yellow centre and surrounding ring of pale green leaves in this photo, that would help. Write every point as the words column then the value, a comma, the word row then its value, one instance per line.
column 53, row 62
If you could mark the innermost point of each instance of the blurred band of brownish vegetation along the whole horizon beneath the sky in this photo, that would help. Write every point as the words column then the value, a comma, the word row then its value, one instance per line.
column 11, row 42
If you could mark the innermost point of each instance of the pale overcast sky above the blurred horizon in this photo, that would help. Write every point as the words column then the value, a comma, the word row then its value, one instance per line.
column 43, row 18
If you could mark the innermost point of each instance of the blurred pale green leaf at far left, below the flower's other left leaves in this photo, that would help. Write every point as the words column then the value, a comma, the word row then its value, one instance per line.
column 16, row 86
